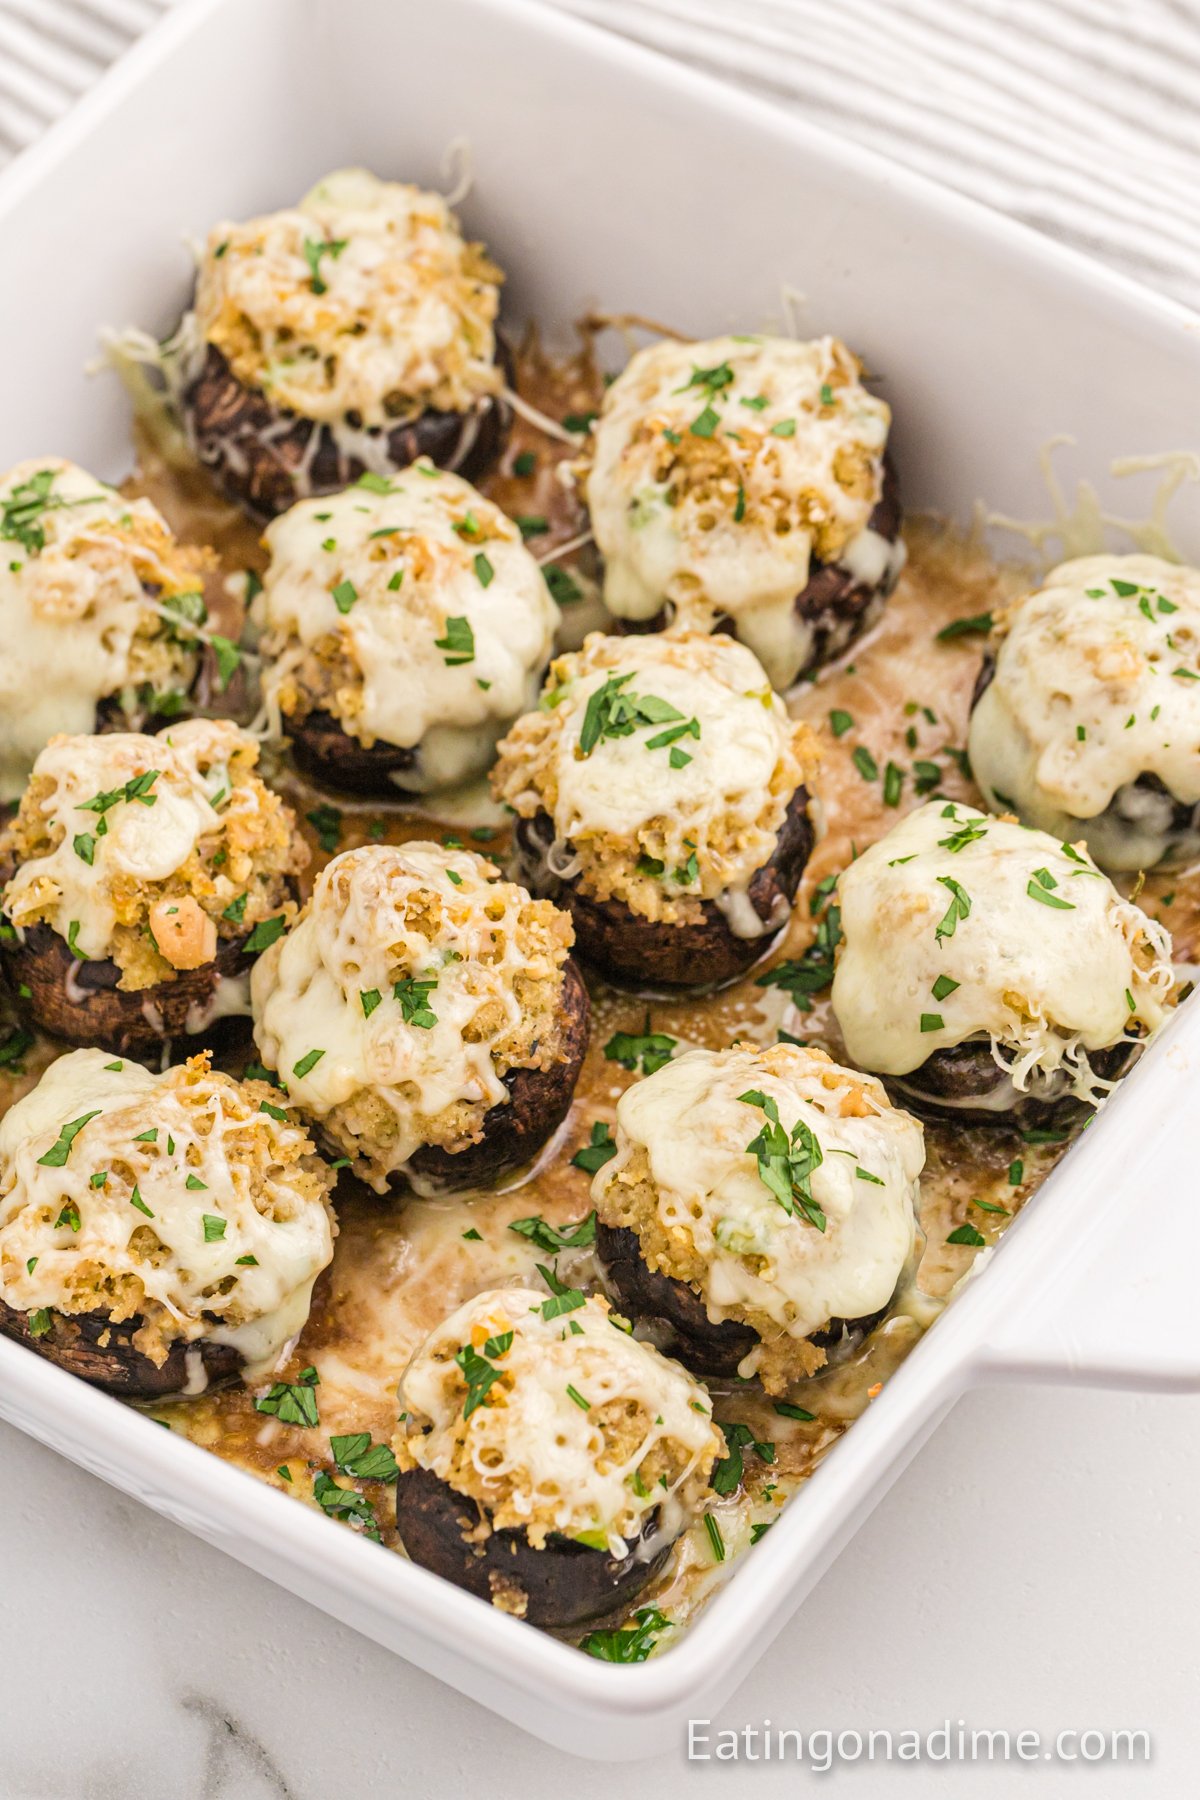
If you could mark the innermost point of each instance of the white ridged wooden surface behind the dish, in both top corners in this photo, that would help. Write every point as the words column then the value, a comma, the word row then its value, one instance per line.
column 1077, row 116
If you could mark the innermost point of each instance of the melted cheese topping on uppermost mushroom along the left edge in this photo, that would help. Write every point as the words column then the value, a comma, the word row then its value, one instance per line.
column 78, row 573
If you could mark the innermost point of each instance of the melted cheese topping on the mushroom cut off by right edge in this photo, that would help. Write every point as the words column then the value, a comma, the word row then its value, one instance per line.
column 1098, row 683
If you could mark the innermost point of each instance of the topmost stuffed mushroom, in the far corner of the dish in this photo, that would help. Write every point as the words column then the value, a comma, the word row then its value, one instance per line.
column 352, row 332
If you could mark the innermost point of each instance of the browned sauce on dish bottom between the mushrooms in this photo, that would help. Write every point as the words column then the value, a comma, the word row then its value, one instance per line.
column 893, row 726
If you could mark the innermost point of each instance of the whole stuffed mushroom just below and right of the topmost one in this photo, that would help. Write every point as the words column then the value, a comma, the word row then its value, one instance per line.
column 406, row 627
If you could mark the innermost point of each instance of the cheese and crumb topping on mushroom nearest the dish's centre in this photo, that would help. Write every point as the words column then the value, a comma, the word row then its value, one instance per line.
column 627, row 800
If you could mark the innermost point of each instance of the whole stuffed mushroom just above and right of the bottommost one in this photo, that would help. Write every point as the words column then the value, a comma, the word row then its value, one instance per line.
column 760, row 1209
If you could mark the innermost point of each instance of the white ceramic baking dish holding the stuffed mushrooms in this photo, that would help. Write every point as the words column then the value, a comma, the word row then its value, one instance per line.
column 609, row 175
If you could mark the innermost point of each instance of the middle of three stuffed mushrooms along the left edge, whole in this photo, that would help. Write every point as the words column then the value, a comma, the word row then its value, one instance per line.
column 143, row 876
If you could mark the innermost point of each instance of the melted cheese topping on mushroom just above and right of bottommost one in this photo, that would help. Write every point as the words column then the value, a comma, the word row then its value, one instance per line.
column 762, row 1263
